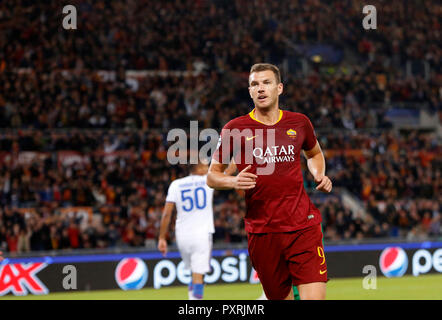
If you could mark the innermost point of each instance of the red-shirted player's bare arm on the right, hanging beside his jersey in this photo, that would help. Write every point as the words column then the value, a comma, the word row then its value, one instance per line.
column 316, row 166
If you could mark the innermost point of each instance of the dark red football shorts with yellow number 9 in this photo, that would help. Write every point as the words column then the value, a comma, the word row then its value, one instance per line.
column 287, row 258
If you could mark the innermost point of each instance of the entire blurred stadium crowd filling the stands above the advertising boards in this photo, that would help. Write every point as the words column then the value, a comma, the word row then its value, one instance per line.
column 79, row 130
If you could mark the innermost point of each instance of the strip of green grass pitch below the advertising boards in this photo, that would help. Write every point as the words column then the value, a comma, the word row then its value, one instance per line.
column 428, row 287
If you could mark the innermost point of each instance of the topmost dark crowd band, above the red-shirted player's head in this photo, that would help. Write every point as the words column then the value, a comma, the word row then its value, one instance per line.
column 210, row 34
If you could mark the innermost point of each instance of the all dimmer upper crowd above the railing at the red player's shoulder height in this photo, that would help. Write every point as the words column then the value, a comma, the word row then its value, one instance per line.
column 166, row 36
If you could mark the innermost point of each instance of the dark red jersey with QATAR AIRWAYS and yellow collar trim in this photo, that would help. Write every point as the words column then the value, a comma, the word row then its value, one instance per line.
column 279, row 202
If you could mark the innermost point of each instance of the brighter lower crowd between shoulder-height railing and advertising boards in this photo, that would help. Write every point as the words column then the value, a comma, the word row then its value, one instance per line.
column 394, row 176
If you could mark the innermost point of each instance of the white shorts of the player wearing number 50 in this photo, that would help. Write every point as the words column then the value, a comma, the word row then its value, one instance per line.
column 196, row 251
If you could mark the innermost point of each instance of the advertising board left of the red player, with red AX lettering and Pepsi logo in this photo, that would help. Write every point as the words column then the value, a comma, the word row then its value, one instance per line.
column 118, row 271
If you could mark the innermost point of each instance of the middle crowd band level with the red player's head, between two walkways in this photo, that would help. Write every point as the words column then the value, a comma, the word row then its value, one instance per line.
column 351, row 101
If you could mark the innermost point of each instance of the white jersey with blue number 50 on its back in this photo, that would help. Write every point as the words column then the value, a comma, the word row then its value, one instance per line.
column 193, row 199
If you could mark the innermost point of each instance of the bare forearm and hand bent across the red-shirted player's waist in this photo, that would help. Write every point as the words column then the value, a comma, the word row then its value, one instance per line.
column 218, row 179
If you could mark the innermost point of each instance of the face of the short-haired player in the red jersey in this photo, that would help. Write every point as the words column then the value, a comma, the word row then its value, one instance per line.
column 264, row 89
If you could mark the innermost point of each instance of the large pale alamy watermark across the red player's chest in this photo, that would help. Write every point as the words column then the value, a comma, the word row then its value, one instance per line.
column 246, row 146
